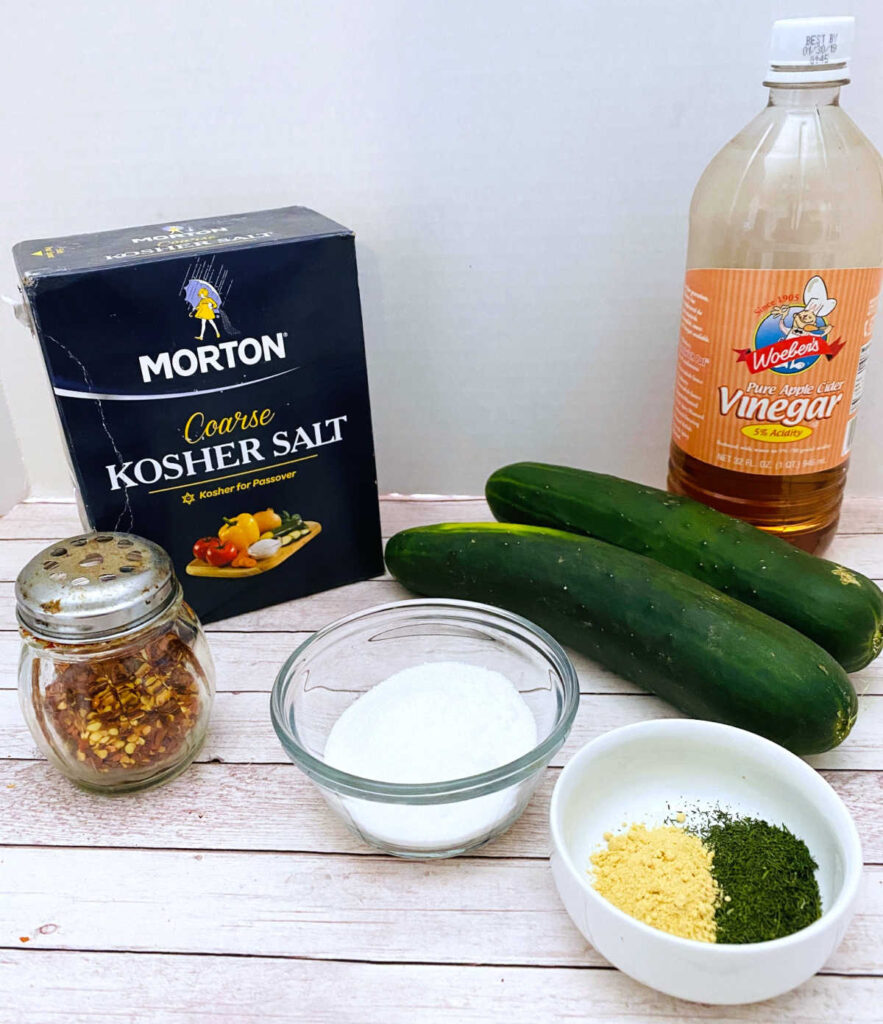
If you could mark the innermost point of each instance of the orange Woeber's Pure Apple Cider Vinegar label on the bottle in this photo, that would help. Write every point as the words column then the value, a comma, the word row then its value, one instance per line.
column 771, row 367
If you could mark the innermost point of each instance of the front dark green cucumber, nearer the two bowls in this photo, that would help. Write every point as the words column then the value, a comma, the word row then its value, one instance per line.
column 710, row 656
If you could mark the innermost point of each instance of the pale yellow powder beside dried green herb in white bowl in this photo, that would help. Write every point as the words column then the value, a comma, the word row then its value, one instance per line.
column 662, row 877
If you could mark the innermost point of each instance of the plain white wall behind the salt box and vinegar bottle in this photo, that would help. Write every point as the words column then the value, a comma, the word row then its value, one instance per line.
column 518, row 176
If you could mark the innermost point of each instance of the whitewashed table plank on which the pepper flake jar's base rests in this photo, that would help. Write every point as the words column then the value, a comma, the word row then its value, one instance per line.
column 253, row 807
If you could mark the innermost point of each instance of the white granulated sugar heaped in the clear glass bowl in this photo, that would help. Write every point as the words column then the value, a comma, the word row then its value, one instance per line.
column 433, row 723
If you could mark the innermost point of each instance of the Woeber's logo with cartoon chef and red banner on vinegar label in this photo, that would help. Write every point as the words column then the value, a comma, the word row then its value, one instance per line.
column 792, row 337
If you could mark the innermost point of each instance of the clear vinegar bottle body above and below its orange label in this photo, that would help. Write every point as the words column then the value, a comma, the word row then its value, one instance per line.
column 800, row 188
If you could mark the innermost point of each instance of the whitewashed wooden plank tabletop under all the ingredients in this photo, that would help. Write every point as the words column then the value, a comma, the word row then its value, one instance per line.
column 231, row 895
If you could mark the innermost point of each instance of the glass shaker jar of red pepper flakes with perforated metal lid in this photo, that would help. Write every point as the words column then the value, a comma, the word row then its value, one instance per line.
column 116, row 679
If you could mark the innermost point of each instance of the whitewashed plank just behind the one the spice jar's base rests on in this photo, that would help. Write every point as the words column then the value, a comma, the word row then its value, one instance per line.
column 241, row 732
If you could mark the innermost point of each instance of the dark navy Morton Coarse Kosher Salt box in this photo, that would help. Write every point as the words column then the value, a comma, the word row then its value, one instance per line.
column 211, row 381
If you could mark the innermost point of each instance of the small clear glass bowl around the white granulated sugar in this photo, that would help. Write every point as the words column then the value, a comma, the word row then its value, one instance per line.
column 337, row 666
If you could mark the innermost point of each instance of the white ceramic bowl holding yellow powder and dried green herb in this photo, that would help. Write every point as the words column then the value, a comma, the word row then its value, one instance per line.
column 636, row 775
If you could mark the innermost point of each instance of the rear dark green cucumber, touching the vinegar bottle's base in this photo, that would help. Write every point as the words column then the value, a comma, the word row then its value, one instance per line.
column 839, row 609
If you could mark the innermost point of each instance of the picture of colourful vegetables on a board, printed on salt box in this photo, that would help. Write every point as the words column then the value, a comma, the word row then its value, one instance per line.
column 248, row 545
